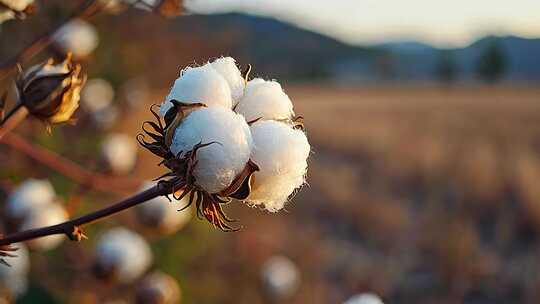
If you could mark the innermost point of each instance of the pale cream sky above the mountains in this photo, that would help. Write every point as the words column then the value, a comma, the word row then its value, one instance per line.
column 454, row 23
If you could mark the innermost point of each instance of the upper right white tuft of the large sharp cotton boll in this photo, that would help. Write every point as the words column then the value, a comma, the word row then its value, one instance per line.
column 265, row 100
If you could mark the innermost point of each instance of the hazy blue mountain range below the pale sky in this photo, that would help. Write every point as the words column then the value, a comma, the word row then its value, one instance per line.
column 286, row 51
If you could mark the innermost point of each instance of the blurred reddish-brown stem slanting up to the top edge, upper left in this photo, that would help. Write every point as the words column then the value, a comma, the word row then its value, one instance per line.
column 86, row 9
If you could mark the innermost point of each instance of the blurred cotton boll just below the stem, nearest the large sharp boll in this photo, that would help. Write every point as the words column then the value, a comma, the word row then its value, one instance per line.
column 162, row 215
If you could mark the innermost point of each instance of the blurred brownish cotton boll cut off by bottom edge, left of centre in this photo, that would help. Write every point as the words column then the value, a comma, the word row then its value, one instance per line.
column 158, row 288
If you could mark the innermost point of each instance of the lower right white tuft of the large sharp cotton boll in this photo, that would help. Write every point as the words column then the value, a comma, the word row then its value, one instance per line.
column 281, row 153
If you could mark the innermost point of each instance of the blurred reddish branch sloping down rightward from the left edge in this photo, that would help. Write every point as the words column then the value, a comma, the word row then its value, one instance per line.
column 68, row 168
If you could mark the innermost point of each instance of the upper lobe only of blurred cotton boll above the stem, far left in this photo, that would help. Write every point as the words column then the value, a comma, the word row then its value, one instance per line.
column 31, row 194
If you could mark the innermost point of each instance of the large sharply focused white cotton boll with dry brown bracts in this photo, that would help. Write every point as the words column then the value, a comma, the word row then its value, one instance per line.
column 224, row 137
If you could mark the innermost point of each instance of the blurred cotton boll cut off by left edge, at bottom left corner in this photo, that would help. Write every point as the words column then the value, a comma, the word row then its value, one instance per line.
column 14, row 279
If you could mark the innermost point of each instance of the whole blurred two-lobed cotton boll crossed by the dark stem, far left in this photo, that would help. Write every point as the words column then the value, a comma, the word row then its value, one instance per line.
column 34, row 204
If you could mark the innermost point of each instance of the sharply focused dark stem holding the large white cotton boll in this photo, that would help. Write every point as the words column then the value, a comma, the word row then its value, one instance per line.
column 71, row 228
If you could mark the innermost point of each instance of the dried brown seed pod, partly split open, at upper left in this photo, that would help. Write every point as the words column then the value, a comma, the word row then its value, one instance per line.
column 51, row 91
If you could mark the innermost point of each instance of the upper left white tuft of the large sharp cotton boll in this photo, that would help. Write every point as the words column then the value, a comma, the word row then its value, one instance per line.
column 199, row 84
